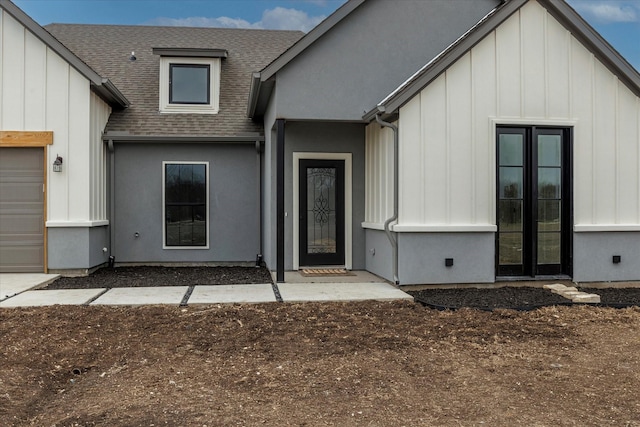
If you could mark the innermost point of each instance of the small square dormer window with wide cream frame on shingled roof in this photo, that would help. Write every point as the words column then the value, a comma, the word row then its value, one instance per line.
column 189, row 85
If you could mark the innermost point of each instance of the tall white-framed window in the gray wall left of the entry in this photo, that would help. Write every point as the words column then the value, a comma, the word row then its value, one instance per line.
column 185, row 205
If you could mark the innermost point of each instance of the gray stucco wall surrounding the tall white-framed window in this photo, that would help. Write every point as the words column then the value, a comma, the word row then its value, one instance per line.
column 233, row 198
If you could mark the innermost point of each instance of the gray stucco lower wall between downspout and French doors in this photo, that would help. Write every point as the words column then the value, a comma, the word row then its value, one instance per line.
column 422, row 258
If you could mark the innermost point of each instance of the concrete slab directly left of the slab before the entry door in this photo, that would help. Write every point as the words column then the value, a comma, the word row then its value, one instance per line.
column 205, row 294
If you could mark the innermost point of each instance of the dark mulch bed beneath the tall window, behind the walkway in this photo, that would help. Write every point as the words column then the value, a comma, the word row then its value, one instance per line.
column 121, row 277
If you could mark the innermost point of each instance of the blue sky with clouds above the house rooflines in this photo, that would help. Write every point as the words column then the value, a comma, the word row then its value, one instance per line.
column 618, row 21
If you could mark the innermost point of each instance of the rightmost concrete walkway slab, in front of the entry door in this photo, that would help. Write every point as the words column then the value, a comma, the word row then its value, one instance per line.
column 300, row 292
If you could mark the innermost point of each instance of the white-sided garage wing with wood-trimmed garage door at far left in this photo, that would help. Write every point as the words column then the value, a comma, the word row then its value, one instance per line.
column 51, row 105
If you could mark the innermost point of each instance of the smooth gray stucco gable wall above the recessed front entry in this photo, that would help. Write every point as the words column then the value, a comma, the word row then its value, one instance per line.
column 369, row 54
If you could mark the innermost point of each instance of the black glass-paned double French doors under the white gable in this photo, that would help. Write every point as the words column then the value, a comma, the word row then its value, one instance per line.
column 534, row 201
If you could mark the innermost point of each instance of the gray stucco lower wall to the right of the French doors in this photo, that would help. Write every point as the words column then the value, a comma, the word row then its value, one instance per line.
column 593, row 254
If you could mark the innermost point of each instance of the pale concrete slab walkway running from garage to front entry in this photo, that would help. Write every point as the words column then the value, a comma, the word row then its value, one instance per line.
column 19, row 290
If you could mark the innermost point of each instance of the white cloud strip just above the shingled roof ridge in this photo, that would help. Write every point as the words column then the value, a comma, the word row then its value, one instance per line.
column 274, row 19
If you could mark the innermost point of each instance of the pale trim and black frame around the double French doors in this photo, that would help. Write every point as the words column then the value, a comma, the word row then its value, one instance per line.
column 568, row 128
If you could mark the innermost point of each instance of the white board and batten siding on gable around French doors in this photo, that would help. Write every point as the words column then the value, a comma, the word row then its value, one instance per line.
column 529, row 71
